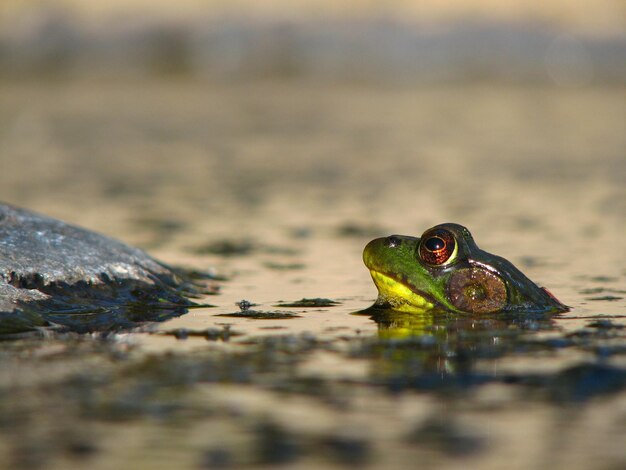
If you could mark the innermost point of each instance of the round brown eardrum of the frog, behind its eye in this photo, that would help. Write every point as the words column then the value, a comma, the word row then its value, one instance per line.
column 477, row 290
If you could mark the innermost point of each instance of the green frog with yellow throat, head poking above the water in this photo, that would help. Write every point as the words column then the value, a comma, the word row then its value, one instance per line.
column 445, row 271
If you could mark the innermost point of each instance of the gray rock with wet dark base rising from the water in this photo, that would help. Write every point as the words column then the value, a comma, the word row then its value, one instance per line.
column 53, row 273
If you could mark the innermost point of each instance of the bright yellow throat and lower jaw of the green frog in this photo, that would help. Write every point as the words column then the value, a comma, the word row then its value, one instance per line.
column 399, row 296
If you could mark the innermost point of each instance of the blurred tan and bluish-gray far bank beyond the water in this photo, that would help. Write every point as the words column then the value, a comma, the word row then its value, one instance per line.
column 400, row 41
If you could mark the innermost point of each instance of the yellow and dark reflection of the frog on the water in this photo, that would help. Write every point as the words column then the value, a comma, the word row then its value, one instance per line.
column 436, row 351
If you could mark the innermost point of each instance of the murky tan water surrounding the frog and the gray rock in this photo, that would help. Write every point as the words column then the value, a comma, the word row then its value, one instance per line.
column 278, row 187
